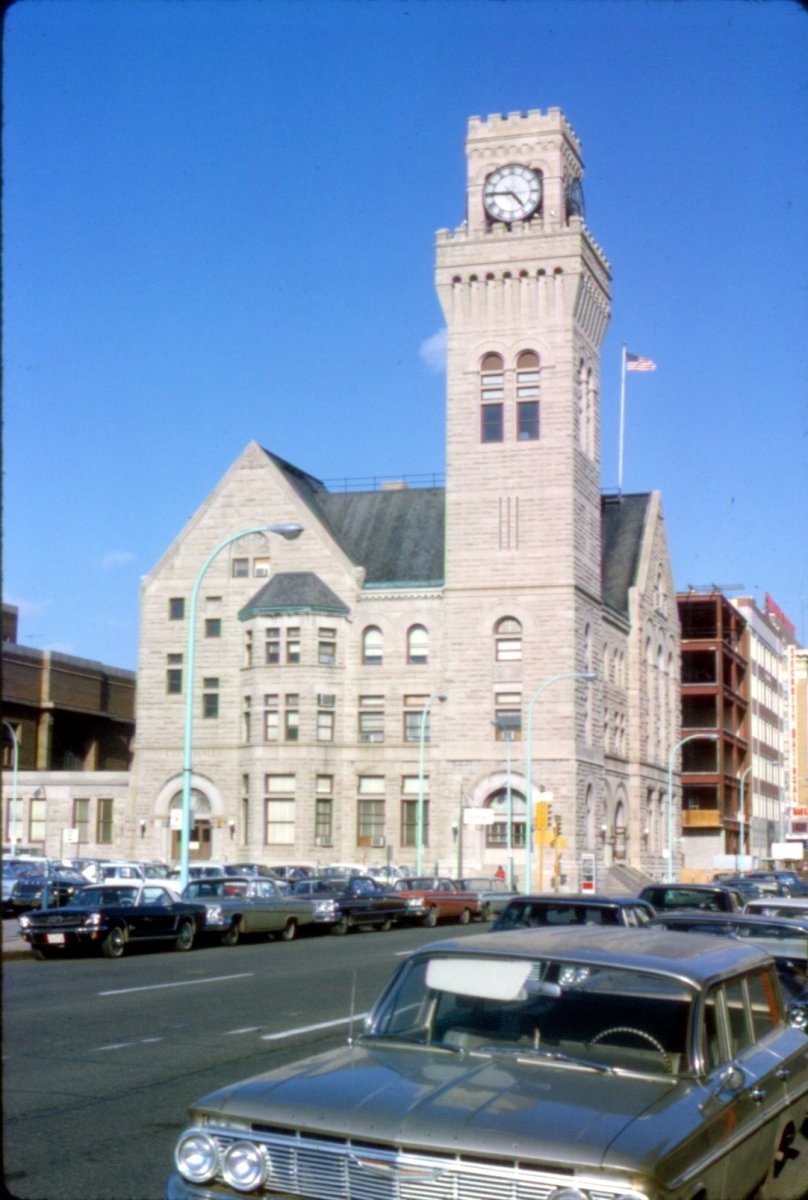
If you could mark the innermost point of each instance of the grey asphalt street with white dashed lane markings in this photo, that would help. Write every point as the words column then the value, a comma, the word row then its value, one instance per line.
column 101, row 1059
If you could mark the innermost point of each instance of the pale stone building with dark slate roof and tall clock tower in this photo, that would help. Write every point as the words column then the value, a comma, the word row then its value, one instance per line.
column 399, row 641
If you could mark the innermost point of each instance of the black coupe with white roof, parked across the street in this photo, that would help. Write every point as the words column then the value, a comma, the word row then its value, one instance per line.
column 109, row 917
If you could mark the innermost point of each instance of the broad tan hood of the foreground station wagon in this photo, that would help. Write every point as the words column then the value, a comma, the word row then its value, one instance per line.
column 427, row 1100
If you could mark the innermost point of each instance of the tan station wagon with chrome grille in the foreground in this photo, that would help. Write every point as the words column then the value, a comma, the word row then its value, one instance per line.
column 591, row 1063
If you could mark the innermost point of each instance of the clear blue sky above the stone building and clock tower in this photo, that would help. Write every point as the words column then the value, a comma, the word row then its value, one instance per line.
column 219, row 224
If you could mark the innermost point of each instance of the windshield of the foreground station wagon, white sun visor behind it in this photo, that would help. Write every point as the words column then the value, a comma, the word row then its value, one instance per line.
column 549, row 1011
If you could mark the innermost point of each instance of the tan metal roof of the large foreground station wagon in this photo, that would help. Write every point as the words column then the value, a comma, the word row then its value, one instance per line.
column 696, row 958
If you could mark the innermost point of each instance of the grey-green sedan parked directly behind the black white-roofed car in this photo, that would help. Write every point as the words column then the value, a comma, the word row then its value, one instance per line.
column 237, row 907
